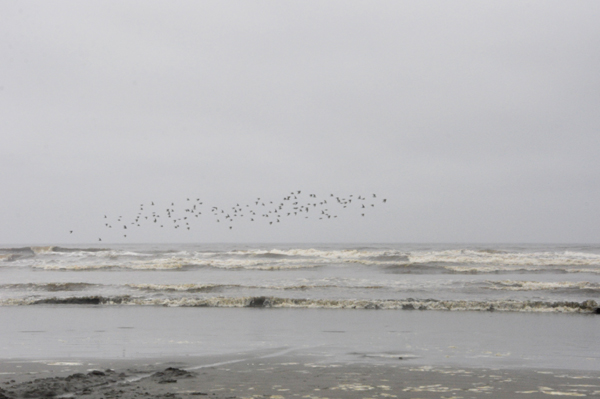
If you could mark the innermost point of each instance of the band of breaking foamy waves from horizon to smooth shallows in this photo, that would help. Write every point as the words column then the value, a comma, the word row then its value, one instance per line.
column 553, row 279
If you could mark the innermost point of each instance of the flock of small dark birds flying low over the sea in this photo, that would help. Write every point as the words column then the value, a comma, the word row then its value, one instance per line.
column 293, row 205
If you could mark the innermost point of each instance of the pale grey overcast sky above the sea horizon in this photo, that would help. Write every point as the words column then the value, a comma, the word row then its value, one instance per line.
column 477, row 121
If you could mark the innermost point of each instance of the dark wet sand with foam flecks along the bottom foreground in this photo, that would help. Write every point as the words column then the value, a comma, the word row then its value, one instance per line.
column 278, row 375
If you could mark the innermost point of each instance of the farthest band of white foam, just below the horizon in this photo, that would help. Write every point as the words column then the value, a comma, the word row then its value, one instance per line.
column 455, row 260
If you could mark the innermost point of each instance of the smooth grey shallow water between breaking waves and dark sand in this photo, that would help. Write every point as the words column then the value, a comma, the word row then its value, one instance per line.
column 468, row 339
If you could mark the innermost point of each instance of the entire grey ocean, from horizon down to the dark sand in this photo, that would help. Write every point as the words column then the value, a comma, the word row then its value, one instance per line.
column 474, row 305
